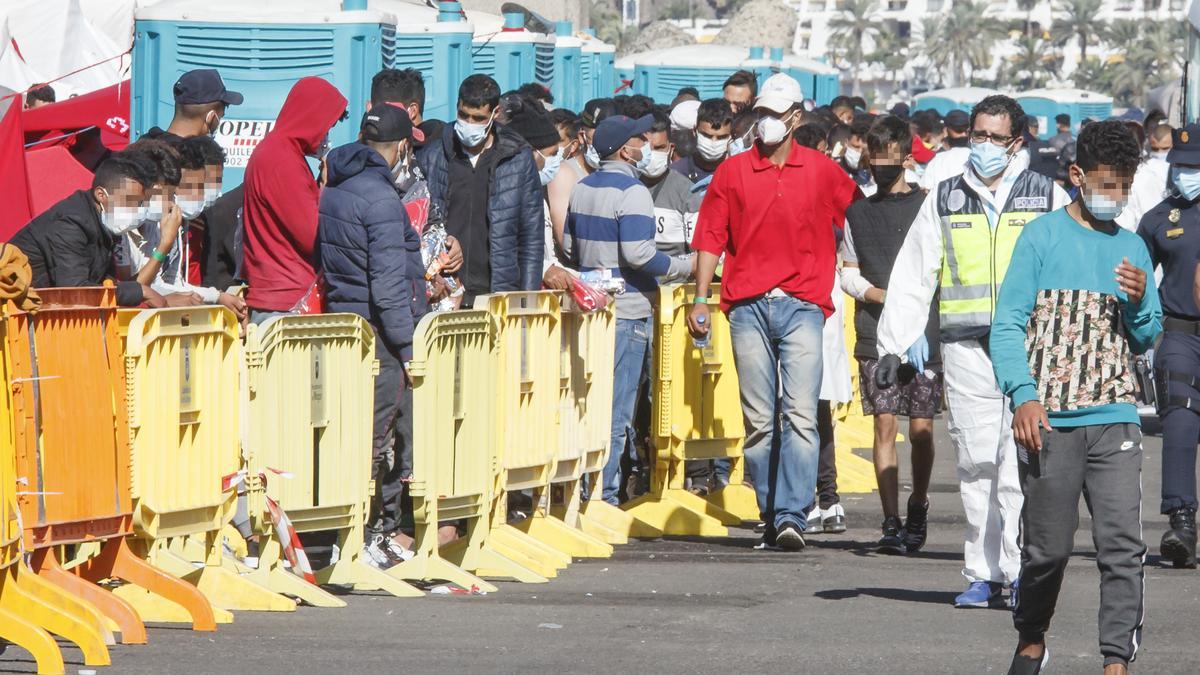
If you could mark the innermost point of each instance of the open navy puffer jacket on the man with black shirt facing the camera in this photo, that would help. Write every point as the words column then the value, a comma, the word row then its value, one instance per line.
column 514, row 211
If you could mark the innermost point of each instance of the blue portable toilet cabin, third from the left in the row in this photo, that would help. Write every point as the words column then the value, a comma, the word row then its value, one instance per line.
column 513, row 56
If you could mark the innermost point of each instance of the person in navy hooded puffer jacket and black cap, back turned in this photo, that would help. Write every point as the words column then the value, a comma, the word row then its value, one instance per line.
column 373, row 262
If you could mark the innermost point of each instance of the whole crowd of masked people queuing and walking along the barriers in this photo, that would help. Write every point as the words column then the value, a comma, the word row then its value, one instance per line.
column 1006, row 278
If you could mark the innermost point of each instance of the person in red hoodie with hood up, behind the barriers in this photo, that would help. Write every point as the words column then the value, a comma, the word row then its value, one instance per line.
column 281, row 199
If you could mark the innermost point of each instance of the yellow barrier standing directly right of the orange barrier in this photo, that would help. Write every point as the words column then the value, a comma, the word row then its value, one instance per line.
column 182, row 395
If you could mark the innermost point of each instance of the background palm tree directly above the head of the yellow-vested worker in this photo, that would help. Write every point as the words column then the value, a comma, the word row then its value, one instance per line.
column 964, row 40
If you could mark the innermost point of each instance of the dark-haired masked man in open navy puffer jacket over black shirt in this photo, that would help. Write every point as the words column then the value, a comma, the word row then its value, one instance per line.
column 483, row 177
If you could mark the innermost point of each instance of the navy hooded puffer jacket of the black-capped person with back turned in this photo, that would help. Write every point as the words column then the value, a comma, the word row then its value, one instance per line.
column 363, row 243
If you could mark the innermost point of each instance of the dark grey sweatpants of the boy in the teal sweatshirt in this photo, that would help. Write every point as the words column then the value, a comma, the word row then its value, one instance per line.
column 1103, row 463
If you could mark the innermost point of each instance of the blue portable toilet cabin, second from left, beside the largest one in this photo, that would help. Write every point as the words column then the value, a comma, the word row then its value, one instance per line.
column 436, row 43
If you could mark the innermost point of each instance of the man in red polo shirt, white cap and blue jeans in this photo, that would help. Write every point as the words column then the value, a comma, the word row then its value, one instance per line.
column 772, row 213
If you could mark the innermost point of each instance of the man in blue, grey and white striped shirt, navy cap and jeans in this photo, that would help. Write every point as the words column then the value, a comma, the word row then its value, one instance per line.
column 610, row 228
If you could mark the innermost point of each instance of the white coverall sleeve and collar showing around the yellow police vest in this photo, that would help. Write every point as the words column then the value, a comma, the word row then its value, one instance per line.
column 919, row 268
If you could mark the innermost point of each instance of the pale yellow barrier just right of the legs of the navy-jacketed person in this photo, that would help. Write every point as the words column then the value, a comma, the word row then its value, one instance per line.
column 454, row 373
